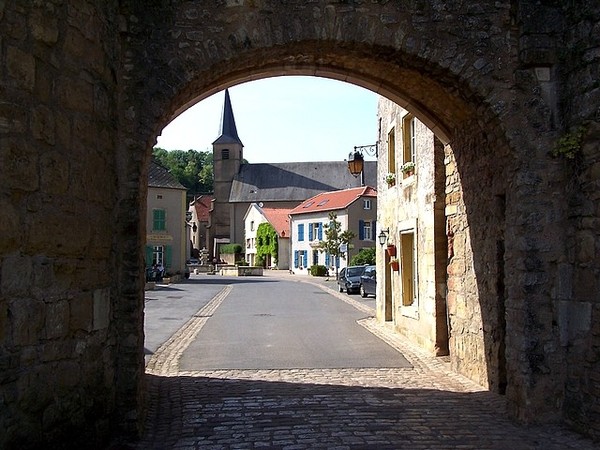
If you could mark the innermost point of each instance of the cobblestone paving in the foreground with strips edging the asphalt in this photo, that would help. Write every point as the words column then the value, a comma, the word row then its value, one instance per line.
column 425, row 407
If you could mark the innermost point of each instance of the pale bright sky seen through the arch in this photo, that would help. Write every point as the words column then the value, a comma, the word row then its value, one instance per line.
column 283, row 119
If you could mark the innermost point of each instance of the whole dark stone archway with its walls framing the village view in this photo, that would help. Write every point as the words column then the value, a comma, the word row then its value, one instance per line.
column 84, row 98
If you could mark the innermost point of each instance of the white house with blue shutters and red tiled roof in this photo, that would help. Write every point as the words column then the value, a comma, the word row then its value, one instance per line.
column 356, row 210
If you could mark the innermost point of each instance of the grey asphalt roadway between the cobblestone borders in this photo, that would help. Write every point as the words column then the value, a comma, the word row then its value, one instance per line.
column 280, row 324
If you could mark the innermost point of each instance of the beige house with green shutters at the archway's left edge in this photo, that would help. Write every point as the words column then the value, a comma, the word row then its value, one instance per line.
column 167, row 240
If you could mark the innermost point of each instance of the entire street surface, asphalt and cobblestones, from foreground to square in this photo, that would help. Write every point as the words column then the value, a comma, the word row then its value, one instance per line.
column 285, row 361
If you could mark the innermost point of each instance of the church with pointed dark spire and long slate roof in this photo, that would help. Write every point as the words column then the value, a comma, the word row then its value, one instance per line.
column 272, row 185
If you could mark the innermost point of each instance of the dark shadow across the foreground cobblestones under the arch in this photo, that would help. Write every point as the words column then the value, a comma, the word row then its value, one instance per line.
column 211, row 412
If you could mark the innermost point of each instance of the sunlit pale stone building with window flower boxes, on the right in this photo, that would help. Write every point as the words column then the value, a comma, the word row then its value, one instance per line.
column 411, row 214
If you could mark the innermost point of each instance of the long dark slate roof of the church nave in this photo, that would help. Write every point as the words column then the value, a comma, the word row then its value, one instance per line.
column 295, row 181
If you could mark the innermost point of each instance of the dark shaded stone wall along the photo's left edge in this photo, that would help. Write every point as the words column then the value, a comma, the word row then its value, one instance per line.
column 58, row 189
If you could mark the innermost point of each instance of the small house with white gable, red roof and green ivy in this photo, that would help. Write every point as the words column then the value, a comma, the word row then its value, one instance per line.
column 279, row 220
